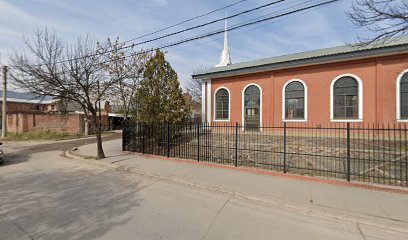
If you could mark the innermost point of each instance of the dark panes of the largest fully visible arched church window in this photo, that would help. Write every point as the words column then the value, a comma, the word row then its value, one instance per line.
column 346, row 98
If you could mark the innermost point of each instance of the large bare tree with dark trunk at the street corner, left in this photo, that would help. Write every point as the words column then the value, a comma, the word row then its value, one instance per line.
column 72, row 73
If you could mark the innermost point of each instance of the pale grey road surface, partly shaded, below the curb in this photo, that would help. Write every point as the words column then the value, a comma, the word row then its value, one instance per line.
column 46, row 196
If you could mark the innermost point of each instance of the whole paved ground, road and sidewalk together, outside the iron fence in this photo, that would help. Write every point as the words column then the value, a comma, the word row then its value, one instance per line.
column 44, row 195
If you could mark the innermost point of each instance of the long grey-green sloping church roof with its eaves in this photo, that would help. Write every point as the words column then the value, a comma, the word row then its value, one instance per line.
column 327, row 55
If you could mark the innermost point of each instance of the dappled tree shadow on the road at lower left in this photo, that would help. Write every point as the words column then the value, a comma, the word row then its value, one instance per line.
column 74, row 203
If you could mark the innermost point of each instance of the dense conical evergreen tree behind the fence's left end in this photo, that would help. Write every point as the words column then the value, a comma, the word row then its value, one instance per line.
column 159, row 97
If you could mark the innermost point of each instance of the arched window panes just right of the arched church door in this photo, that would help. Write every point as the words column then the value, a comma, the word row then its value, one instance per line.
column 294, row 94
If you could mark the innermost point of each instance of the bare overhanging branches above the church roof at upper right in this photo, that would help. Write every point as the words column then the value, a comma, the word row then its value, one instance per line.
column 385, row 19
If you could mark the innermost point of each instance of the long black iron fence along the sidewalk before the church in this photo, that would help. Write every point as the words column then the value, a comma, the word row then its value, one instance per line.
column 356, row 152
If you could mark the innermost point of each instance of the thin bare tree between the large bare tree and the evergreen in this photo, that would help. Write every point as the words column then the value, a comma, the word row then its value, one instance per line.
column 125, row 67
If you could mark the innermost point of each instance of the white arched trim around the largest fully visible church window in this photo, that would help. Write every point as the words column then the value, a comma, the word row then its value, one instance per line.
column 360, row 99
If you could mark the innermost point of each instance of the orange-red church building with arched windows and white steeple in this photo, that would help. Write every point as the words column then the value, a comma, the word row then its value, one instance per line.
column 341, row 84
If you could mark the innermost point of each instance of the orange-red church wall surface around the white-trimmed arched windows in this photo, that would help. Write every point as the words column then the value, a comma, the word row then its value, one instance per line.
column 378, row 76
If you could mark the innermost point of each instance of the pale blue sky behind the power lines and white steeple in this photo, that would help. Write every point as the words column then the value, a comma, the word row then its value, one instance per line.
column 323, row 27
